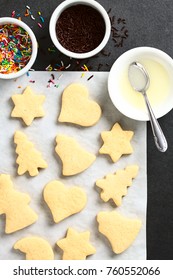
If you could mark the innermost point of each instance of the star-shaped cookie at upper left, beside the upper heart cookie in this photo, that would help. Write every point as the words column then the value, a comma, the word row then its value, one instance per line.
column 28, row 106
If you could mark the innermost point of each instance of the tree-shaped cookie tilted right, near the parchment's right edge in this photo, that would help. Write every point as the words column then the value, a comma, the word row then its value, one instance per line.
column 114, row 186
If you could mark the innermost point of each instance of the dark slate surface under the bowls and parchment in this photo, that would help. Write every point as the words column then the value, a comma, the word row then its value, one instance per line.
column 149, row 23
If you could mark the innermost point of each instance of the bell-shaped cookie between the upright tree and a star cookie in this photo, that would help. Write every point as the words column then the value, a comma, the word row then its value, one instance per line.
column 74, row 158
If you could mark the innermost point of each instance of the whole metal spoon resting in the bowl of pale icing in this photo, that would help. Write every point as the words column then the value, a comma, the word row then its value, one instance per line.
column 141, row 84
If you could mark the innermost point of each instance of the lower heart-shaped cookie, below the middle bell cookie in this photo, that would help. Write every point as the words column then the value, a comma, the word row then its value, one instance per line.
column 63, row 201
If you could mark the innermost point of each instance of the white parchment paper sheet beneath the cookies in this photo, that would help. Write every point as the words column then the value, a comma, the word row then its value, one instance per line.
column 43, row 132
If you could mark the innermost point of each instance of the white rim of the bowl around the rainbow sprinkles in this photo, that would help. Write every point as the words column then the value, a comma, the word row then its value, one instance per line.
column 9, row 20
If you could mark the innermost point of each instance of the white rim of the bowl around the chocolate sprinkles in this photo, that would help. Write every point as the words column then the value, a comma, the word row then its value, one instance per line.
column 63, row 6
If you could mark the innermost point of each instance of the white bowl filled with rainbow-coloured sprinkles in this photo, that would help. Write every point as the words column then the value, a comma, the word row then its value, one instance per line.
column 18, row 48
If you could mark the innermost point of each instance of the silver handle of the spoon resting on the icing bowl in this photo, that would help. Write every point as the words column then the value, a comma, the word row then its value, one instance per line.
column 159, row 137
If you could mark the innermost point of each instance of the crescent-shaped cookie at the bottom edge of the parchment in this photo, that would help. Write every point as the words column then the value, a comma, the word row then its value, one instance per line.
column 35, row 248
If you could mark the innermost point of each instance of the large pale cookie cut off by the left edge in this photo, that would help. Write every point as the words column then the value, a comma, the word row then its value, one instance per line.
column 14, row 205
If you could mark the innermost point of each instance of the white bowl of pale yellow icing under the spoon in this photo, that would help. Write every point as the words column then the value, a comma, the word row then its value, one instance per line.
column 119, row 88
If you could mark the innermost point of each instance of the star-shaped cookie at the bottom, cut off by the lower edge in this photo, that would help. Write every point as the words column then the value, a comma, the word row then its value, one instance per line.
column 76, row 245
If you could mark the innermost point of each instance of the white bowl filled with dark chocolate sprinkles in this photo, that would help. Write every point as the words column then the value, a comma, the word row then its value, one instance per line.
column 80, row 29
